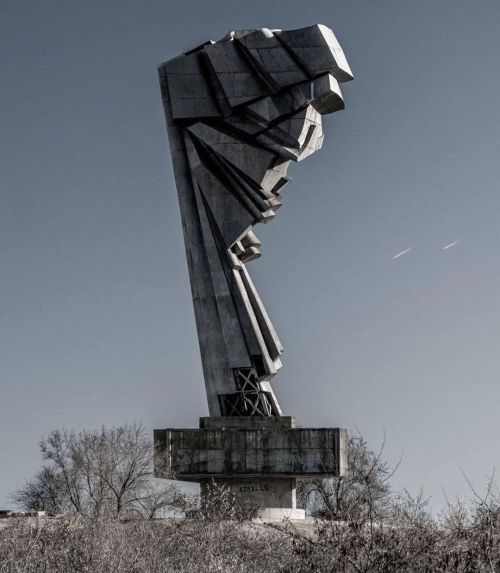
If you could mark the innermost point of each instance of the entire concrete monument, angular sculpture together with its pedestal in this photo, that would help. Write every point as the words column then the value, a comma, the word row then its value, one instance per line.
column 238, row 111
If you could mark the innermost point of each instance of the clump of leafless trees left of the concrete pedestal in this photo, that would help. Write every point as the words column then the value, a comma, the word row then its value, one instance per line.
column 95, row 472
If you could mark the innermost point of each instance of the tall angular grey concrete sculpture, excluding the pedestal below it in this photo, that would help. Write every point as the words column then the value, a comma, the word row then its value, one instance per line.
column 238, row 111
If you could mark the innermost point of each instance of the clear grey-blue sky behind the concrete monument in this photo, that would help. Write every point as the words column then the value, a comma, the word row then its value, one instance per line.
column 96, row 321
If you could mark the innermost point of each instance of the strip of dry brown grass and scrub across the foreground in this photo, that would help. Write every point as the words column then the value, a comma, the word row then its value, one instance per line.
column 416, row 543
